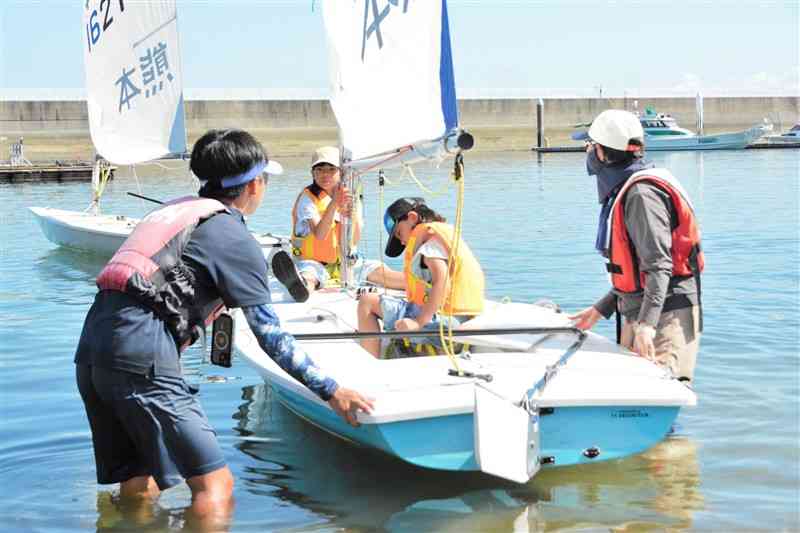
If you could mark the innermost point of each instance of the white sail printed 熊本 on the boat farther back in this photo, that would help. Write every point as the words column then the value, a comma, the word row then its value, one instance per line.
column 134, row 86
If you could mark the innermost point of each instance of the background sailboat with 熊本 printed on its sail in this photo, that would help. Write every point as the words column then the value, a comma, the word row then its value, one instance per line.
column 134, row 98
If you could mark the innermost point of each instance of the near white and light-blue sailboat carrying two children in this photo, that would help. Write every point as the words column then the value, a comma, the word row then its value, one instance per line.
column 531, row 391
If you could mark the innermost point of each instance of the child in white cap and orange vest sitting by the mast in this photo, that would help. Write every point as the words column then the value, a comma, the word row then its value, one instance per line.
column 317, row 231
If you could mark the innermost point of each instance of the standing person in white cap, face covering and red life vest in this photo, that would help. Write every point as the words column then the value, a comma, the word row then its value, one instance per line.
column 650, row 236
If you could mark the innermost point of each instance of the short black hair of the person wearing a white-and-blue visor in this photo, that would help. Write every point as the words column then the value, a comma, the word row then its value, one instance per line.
column 223, row 153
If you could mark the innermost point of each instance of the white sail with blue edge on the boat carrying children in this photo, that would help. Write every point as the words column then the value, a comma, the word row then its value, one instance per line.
column 391, row 73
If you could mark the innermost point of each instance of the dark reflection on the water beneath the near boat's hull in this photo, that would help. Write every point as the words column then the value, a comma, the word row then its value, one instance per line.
column 357, row 489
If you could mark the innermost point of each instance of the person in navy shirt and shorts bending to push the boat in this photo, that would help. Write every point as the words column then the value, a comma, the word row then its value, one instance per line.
column 182, row 263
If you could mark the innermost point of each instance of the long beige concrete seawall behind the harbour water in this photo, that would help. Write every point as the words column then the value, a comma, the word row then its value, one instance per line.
column 291, row 127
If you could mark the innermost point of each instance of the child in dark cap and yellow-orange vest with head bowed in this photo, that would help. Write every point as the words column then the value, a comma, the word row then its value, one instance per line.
column 430, row 300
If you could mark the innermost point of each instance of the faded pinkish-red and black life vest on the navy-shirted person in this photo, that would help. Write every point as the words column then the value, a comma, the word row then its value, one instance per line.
column 148, row 266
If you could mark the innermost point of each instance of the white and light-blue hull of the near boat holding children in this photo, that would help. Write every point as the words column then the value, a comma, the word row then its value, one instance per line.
column 603, row 404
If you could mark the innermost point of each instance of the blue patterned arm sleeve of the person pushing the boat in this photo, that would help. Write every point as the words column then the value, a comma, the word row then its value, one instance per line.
column 284, row 350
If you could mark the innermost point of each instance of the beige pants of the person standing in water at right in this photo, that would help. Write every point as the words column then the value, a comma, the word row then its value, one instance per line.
column 677, row 340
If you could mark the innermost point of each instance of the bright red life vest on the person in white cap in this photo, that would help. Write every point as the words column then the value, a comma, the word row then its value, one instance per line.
column 687, row 258
